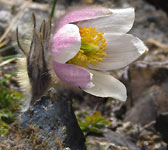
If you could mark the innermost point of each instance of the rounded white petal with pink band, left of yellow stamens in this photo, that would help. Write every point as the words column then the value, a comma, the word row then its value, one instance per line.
column 66, row 43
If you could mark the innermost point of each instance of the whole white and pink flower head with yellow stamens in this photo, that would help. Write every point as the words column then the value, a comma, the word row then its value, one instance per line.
column 92, row 41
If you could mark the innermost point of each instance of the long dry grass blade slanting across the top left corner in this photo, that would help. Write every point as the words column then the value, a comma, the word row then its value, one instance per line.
column 24, row 5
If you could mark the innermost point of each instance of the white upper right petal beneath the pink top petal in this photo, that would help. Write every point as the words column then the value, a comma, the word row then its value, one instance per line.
column 120, row 21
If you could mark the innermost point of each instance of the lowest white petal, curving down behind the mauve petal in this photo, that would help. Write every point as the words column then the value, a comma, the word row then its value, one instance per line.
column 107, row 86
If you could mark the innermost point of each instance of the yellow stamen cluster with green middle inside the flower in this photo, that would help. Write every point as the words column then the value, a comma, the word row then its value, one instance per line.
column 92, row 50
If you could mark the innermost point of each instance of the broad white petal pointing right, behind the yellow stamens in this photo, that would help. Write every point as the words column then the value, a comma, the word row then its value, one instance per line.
column 121, row 51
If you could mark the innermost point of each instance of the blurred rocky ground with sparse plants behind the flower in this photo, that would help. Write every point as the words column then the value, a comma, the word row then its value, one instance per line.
column 141, row 122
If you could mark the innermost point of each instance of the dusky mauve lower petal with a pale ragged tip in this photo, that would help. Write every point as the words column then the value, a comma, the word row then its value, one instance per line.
column 73, row 75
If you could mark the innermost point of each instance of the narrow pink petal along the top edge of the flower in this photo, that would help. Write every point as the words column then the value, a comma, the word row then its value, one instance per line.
column 86, row 13
